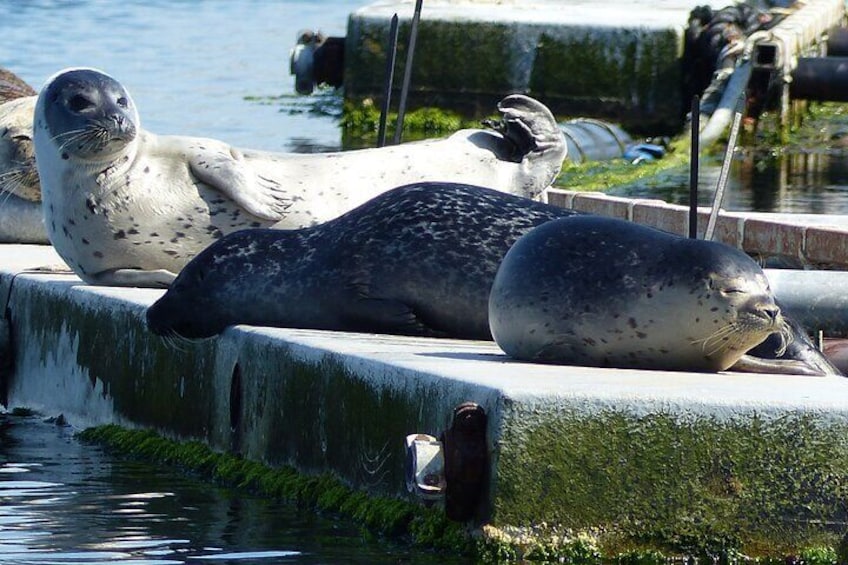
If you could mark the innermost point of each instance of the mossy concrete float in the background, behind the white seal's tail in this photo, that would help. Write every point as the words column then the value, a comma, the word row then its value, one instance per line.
column 613, row 59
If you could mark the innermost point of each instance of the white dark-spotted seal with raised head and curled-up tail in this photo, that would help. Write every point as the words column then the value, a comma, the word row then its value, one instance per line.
column 126, row 207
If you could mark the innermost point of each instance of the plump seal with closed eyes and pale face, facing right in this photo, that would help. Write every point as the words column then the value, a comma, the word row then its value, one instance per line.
column 603, row 292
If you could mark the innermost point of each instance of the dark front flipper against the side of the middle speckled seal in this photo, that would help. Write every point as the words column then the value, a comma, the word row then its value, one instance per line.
column 379, row 315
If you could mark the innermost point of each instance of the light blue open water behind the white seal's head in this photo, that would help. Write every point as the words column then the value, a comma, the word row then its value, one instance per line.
column 209, row 69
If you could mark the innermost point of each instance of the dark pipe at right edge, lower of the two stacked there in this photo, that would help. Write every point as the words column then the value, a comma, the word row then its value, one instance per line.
column 820, row 78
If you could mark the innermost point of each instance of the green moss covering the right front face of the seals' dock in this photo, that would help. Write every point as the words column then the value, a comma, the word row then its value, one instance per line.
column 761, row 486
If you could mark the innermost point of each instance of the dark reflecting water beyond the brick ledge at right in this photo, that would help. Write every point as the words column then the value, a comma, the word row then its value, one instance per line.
column 810, row 182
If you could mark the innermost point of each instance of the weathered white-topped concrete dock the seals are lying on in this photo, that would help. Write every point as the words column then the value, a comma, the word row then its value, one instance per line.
column 673, row 460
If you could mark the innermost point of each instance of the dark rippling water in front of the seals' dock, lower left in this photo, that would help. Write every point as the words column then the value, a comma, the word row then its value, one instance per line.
column 62, row 502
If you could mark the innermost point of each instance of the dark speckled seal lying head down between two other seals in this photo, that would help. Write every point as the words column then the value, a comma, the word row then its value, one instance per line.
column 417, row 260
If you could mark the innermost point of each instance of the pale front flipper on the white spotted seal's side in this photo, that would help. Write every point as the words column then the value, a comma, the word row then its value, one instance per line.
column 225, row 169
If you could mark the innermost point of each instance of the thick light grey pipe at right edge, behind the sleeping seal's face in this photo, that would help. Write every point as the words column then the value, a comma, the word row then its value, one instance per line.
column 818, row 300
